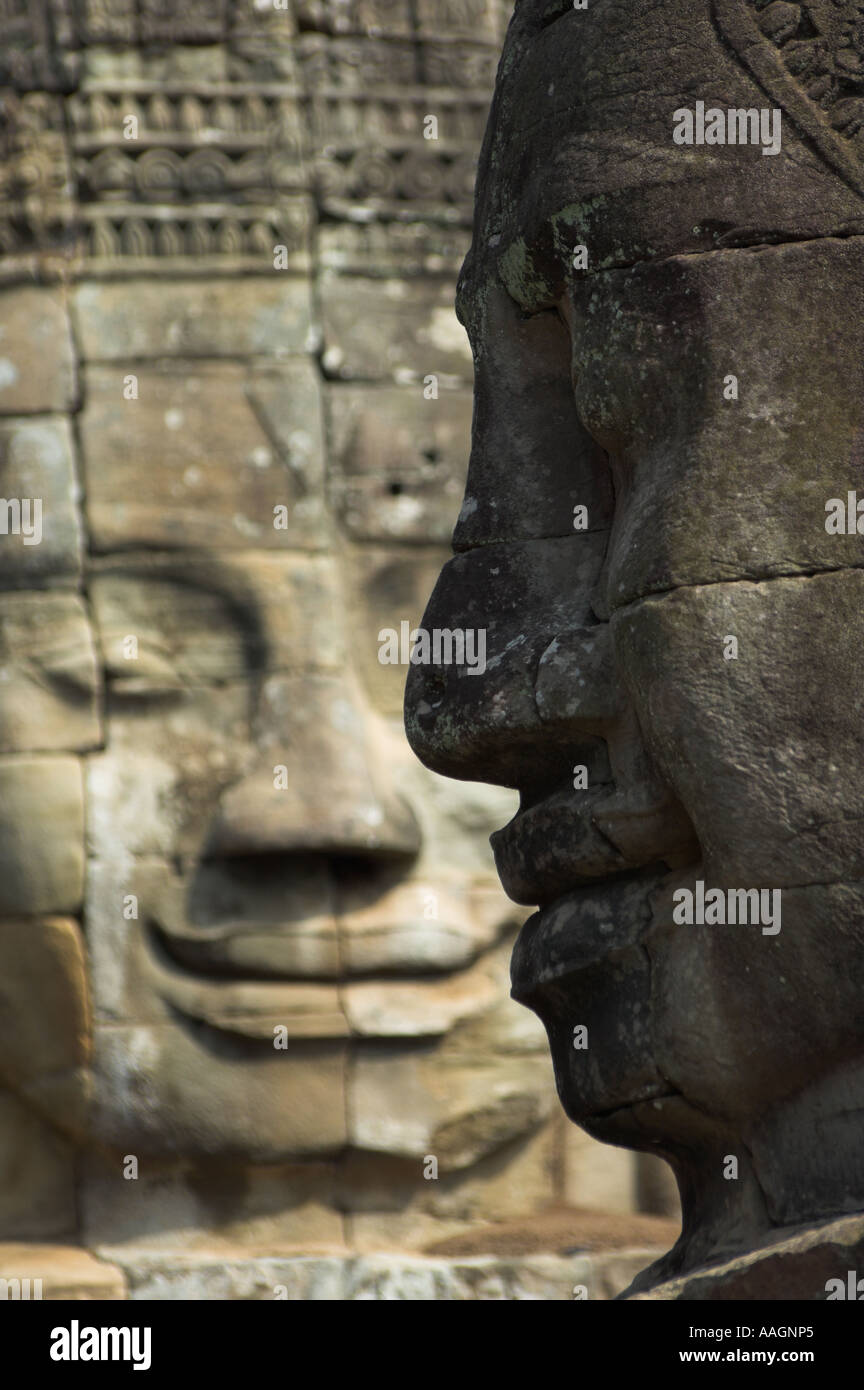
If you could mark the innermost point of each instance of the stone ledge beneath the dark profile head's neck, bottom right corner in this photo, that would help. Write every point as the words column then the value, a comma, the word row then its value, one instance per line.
column 794, row 1266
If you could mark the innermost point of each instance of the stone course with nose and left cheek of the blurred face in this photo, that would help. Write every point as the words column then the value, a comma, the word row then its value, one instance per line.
column 205, row 786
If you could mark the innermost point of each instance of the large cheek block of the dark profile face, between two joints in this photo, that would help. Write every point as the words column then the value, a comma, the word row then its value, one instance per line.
column 797, row 746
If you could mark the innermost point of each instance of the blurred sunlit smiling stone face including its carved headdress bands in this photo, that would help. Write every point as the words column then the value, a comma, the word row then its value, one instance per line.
column 245, row 939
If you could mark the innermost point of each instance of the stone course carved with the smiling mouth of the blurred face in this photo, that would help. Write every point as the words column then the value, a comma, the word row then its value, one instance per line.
column 292, row 938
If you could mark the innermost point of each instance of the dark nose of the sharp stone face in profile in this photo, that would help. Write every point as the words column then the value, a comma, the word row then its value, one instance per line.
column 548, row 680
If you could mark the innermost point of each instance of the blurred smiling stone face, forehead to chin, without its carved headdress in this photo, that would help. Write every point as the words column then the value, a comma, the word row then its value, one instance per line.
column 297, row 951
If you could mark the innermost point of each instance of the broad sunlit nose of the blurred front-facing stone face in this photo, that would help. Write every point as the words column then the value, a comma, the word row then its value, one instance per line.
column 322, row 782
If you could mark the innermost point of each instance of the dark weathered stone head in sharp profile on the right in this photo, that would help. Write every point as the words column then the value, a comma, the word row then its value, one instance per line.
column 695, row 382
